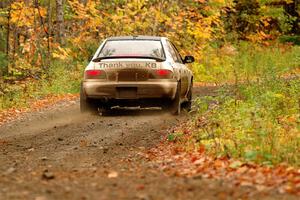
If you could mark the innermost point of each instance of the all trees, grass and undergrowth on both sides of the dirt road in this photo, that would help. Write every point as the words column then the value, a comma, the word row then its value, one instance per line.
column 252, row 45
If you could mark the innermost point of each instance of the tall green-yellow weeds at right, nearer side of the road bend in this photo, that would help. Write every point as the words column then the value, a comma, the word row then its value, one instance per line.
column 261, row 123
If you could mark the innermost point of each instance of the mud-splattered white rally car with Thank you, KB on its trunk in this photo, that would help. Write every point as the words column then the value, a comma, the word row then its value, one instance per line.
column 137, row 71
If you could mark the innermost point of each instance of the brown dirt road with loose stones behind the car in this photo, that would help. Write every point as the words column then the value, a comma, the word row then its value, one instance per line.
column 61, row 154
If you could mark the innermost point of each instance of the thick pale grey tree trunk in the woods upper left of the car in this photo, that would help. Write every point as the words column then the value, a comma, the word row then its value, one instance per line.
column 60, row 21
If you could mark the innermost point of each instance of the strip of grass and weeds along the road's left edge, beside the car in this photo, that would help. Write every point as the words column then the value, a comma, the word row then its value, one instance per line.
column 62, row 78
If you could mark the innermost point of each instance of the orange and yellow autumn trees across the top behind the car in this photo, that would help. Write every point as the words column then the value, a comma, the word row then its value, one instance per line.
column 36, row 32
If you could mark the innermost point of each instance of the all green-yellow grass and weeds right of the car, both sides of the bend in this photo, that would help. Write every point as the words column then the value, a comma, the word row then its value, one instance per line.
column 257, row 118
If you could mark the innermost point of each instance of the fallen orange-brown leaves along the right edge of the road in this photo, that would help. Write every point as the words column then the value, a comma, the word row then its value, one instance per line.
column 172, row 158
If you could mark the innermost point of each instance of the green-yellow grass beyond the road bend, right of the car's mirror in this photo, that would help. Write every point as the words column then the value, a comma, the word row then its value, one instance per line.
column 246, row 62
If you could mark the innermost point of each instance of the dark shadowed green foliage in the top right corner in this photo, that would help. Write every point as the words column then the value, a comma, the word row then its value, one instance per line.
column 258, row 20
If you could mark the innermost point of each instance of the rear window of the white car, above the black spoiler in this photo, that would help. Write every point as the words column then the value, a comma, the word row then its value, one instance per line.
column 132, row 48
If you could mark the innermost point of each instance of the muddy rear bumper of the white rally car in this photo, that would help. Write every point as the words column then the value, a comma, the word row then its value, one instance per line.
column 130, row 90
